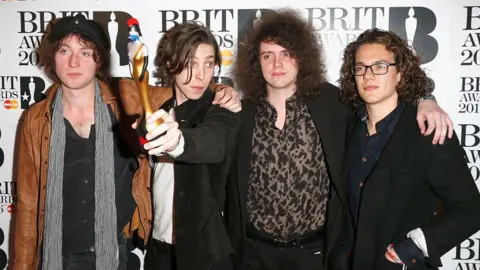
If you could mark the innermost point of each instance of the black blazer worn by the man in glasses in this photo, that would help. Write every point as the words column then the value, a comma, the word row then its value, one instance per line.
column 404, row 191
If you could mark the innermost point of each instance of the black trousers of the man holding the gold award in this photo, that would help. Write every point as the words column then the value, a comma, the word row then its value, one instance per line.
column 162, row 256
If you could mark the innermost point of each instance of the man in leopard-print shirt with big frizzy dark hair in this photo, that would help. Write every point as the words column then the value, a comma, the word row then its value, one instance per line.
column 286, row 200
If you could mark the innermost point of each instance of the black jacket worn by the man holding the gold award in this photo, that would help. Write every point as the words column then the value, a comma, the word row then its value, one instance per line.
column 201, row 238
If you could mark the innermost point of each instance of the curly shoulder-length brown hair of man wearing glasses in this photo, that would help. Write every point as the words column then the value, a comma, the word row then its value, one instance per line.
column 414, row 82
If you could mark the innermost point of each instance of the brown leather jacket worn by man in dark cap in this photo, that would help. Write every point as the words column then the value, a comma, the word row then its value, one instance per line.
column 33, row 151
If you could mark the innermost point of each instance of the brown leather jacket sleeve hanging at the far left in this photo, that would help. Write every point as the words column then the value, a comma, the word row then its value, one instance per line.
column 27, row 205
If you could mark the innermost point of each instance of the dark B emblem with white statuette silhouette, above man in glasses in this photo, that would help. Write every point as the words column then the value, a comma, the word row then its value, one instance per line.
column 415, row 24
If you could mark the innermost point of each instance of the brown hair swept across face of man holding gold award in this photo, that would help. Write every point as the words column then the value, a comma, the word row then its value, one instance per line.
column 178, row 47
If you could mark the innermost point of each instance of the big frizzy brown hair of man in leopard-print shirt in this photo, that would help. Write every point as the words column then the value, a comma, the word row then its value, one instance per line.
column 287, row 28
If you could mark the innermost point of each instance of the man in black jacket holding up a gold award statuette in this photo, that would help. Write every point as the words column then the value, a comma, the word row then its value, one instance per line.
column 191, row 142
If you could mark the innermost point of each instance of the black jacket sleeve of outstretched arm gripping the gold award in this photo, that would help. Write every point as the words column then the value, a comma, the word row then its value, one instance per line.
column 207, row 142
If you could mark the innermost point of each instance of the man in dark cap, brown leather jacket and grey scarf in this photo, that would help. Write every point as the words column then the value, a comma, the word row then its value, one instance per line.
column 73, row 159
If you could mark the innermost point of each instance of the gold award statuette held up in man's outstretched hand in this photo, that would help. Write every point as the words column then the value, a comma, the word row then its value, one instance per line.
column 142, row 86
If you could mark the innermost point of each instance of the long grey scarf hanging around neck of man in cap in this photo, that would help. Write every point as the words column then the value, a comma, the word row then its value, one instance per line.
column 106, row 243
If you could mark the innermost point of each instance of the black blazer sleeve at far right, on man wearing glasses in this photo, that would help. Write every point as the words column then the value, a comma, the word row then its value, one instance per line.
column 451, row 181
